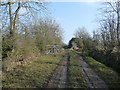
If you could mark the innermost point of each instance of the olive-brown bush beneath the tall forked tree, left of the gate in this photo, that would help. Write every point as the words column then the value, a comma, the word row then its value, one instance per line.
column 24, row 50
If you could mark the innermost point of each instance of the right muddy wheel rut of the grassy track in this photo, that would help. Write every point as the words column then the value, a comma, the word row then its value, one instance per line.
column 92, row 79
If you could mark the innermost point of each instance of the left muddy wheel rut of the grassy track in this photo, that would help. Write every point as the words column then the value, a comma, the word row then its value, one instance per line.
column 59, row 77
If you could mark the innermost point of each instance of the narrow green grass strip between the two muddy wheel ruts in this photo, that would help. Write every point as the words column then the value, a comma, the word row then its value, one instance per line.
column 75, row 76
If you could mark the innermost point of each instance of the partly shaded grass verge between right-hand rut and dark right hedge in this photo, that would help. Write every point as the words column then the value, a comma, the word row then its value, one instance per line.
column 111, row 78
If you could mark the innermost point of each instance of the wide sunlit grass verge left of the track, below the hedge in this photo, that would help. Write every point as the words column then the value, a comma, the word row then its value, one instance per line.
column 33, row 75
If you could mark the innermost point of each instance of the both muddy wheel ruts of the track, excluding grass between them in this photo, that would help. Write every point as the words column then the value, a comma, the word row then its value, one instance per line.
column 59, row 77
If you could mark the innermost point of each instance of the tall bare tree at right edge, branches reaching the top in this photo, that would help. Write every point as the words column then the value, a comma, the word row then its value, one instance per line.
column 114, row 20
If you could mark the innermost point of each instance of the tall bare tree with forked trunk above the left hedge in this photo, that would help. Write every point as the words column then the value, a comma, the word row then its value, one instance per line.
column 11, row 10
